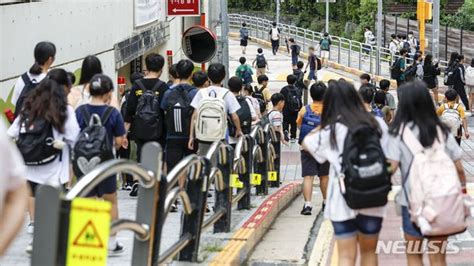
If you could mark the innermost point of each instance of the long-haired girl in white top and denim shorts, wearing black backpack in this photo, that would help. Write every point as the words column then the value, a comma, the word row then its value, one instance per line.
column 343, row 109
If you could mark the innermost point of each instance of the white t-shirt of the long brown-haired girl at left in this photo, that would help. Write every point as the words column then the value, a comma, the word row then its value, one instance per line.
column 56, row 172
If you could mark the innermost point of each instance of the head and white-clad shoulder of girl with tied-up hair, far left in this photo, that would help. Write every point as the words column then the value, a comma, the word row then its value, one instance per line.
column 44, row 54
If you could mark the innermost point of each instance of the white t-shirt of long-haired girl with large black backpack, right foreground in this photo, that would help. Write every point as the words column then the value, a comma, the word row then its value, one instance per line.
column 318, row 145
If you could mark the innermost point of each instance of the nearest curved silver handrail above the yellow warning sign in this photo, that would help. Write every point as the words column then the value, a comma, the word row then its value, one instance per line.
column 85, row 185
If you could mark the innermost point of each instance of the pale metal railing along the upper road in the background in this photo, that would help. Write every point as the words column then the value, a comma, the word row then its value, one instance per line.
column 364, row 57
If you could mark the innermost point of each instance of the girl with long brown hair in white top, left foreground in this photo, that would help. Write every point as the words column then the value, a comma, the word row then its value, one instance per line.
column 48, row 101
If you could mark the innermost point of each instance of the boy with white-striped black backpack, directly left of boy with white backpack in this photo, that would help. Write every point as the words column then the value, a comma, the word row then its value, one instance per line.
column 176, row 104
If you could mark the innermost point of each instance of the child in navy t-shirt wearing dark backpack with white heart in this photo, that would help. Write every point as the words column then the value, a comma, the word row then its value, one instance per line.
column 101, row 90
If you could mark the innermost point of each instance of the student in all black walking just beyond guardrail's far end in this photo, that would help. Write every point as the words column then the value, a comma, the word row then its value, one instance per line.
column 293, row 104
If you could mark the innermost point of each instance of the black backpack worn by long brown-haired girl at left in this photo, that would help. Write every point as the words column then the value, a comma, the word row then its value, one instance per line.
column 35, row 142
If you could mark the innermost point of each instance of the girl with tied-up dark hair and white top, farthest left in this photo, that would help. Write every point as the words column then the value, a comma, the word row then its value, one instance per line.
column 44, row 54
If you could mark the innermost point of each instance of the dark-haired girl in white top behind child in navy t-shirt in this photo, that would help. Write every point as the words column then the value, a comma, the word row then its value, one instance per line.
column 79, row 94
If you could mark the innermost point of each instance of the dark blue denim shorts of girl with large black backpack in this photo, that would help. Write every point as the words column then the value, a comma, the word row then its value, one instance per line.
column 366, row 225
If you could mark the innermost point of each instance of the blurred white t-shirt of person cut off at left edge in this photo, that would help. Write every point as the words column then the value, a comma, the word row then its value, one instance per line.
column 13, row 171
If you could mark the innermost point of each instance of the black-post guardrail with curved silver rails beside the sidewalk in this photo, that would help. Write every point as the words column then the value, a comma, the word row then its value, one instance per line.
column 254, row 154
